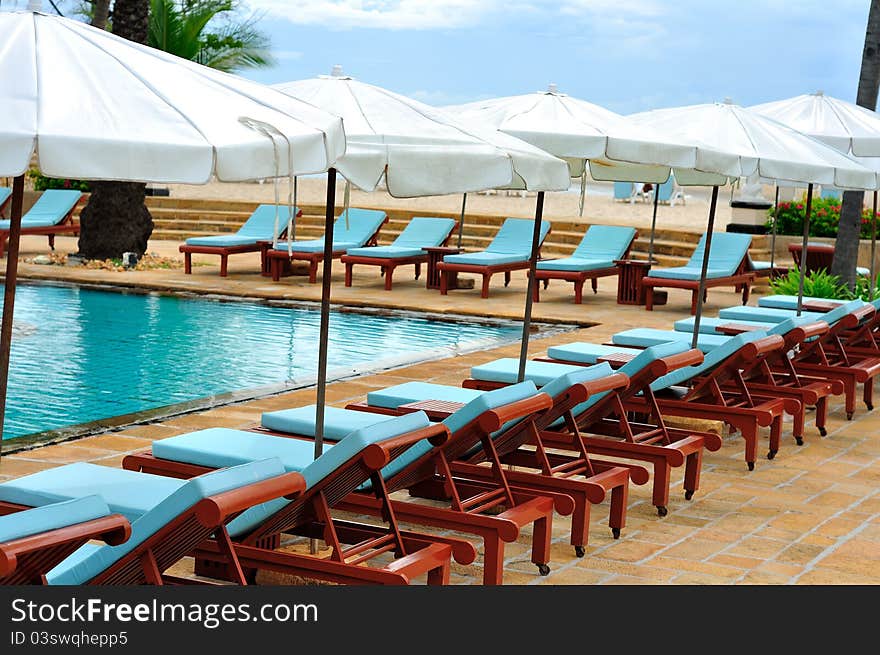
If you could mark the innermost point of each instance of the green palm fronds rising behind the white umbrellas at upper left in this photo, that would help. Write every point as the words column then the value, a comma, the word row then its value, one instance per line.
column 208, row 32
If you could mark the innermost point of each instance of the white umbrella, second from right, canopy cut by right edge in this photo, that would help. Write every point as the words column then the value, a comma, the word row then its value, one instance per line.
column 765, row 148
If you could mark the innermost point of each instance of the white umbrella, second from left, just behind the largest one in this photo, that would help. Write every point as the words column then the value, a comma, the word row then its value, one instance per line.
column 423, row 151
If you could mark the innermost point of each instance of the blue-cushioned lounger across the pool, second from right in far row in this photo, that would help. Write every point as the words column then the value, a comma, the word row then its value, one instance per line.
column 595, row 257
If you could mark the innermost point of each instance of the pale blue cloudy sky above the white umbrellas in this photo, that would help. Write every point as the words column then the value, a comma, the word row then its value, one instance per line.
column 626, row 55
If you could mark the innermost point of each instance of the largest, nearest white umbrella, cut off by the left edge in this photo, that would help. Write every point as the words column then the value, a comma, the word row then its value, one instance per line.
column 91, row 105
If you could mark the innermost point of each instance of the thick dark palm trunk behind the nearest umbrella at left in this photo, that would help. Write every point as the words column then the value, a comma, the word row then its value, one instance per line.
column 115, row 220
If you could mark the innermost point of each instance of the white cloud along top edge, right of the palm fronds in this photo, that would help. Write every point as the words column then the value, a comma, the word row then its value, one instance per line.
column 383, row 14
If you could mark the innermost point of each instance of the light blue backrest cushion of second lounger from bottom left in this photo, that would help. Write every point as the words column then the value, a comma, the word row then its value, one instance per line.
column 80, row 569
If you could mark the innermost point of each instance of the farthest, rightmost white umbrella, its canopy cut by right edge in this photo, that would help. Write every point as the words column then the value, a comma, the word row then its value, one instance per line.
column 843, row 125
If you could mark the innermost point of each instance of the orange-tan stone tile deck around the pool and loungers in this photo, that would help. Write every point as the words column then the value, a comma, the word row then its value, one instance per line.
column 810, row 516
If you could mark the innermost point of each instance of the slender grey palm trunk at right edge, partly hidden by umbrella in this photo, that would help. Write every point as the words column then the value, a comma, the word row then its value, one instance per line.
column 846, row 250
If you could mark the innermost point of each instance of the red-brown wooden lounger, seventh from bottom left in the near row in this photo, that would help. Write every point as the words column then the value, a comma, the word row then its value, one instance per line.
column 698, row 390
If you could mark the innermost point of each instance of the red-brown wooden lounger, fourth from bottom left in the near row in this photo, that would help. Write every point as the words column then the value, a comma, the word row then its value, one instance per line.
column 466, row 503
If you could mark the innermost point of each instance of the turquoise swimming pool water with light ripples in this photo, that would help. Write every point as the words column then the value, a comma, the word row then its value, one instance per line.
column 81, row 355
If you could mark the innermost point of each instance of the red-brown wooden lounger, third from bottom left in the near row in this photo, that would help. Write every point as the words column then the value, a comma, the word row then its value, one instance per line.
column 356, row 462
